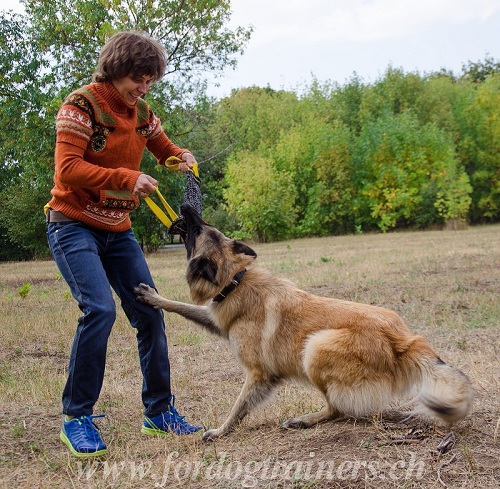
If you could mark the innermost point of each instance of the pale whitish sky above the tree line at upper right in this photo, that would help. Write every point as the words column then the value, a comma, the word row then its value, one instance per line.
column 297, row 41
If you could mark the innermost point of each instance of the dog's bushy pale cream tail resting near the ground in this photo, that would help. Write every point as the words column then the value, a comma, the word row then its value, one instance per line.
column 445, row 394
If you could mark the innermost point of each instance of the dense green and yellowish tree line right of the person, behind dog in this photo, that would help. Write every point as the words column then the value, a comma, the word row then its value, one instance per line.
column 407, row 151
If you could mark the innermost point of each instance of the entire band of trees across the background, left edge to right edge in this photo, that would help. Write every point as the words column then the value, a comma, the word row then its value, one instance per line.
column 409, row 150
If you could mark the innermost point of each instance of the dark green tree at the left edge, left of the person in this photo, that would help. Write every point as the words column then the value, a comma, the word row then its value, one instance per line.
column 26, row 142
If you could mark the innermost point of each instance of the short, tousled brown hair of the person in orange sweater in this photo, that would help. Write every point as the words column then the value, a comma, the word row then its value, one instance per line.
column 130, row 53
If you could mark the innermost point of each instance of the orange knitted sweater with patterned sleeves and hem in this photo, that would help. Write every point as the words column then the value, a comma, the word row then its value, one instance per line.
column 99, row 146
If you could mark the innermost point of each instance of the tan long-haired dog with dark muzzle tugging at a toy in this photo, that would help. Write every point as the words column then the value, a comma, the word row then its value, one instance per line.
column 360, row 357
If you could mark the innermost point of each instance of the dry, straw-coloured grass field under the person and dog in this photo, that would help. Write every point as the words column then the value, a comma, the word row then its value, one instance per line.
column 445, row 285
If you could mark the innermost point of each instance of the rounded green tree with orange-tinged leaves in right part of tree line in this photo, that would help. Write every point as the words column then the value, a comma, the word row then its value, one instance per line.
column 408, row 174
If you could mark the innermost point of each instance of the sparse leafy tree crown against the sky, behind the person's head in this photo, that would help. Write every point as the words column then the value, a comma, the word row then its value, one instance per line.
column 197, row 41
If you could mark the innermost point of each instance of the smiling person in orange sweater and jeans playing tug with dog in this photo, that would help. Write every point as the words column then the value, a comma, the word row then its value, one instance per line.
column 102, row 131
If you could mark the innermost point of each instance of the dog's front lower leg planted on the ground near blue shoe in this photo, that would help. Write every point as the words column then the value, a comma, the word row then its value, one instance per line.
column 254, row 391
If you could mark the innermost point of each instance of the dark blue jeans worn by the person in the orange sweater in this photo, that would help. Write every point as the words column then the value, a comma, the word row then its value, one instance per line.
column 92, row 262
